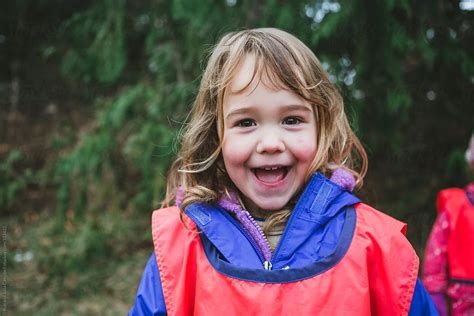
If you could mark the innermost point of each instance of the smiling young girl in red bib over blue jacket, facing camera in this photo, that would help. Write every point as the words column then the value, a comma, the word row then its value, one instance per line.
column 266, row 129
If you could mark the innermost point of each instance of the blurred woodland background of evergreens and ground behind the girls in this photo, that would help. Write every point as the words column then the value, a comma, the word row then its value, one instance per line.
column 92, row 94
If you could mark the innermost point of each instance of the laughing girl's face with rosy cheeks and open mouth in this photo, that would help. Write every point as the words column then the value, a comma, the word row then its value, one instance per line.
column 269, row 140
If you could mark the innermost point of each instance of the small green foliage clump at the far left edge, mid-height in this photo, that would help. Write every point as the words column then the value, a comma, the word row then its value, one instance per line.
column 12, row 181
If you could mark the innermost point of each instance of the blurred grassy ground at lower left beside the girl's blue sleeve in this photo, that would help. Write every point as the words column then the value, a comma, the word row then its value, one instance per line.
column 52, row 273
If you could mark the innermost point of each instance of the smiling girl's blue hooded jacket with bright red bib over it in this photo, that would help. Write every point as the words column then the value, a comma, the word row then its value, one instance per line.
column 336, row 256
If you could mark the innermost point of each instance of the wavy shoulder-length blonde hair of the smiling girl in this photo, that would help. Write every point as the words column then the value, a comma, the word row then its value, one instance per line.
column 288, row 64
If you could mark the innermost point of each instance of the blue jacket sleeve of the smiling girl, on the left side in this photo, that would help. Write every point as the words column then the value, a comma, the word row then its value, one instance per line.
column 149, row 299
